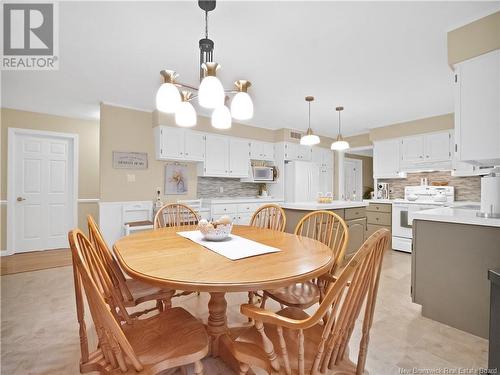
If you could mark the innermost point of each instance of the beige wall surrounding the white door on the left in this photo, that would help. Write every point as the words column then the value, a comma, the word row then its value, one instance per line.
column 88, row 137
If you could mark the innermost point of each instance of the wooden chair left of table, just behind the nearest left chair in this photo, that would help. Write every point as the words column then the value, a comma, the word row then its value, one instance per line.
column 132, row 292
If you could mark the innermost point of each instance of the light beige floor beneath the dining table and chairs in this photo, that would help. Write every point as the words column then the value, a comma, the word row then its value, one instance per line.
column 39, row 331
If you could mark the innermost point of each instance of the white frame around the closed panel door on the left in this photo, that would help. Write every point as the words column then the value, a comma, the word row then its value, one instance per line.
column 11, row 206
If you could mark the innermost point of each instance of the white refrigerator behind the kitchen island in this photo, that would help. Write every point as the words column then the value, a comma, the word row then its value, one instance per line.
column 301, row 181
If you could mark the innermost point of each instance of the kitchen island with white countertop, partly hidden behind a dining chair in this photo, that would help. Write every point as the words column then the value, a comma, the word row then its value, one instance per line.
column 353, row 212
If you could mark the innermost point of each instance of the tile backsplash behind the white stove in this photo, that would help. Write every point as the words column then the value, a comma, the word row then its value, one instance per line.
column 466, row 188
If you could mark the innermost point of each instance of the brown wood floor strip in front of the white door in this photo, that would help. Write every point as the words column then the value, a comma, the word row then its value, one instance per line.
column 34, row 261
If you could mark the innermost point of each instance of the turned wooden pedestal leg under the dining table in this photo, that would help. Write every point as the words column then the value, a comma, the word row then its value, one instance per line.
column 217, row 320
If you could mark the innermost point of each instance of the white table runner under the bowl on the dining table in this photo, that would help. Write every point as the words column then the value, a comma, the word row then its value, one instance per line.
column 234, row 248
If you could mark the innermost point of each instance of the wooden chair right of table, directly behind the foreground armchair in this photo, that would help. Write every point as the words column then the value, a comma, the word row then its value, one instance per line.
column 328, row 228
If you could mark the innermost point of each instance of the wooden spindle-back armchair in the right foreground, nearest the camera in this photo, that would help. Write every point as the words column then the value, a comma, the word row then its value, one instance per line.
column 292, row 342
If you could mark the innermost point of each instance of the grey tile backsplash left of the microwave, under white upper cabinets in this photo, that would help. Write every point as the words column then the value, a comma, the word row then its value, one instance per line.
column 209, row 187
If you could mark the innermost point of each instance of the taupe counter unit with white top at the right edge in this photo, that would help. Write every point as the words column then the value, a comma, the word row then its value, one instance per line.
column 453, row 250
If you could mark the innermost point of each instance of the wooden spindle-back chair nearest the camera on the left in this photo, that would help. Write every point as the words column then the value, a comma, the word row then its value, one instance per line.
column 170, row 339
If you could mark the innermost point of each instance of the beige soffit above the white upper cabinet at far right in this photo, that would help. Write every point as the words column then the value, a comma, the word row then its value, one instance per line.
column 474, row 39
